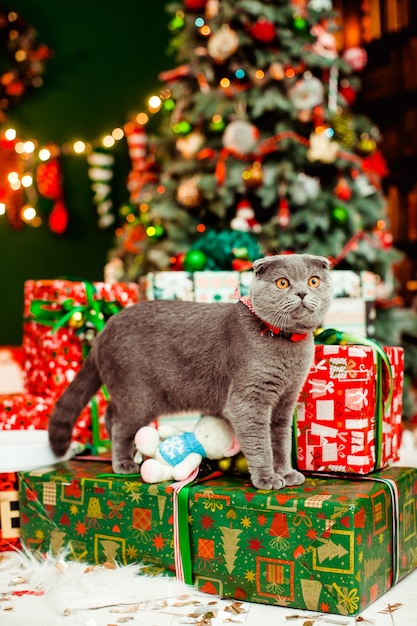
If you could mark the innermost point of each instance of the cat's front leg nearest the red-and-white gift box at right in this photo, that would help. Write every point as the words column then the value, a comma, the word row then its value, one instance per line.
column 282, row 441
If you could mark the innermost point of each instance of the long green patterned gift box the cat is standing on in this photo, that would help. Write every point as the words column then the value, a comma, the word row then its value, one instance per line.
column 331, row 545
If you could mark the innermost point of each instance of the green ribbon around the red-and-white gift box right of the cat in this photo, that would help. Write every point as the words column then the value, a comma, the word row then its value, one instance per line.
column 332, row 336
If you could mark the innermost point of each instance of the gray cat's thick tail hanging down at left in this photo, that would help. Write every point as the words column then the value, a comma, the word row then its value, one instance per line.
column 66, row 410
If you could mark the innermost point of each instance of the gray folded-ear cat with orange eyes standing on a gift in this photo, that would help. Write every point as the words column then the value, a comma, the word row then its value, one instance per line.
column 245, row 362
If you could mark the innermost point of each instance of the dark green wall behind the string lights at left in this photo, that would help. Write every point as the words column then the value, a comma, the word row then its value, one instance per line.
column 107, row 56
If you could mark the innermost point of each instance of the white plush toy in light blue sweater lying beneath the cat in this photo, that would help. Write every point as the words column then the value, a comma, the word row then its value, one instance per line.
column 174, row 454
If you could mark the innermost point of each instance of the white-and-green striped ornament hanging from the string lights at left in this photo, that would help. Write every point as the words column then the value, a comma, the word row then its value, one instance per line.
column 100, row 172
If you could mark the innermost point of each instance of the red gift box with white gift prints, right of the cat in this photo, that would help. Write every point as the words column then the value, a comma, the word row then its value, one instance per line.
column 348, row 417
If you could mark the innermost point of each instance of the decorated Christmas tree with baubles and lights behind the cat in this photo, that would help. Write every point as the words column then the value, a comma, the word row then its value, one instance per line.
column 258, row 150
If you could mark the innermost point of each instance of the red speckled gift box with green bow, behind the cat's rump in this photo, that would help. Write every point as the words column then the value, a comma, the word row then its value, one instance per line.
column 58, row 315
